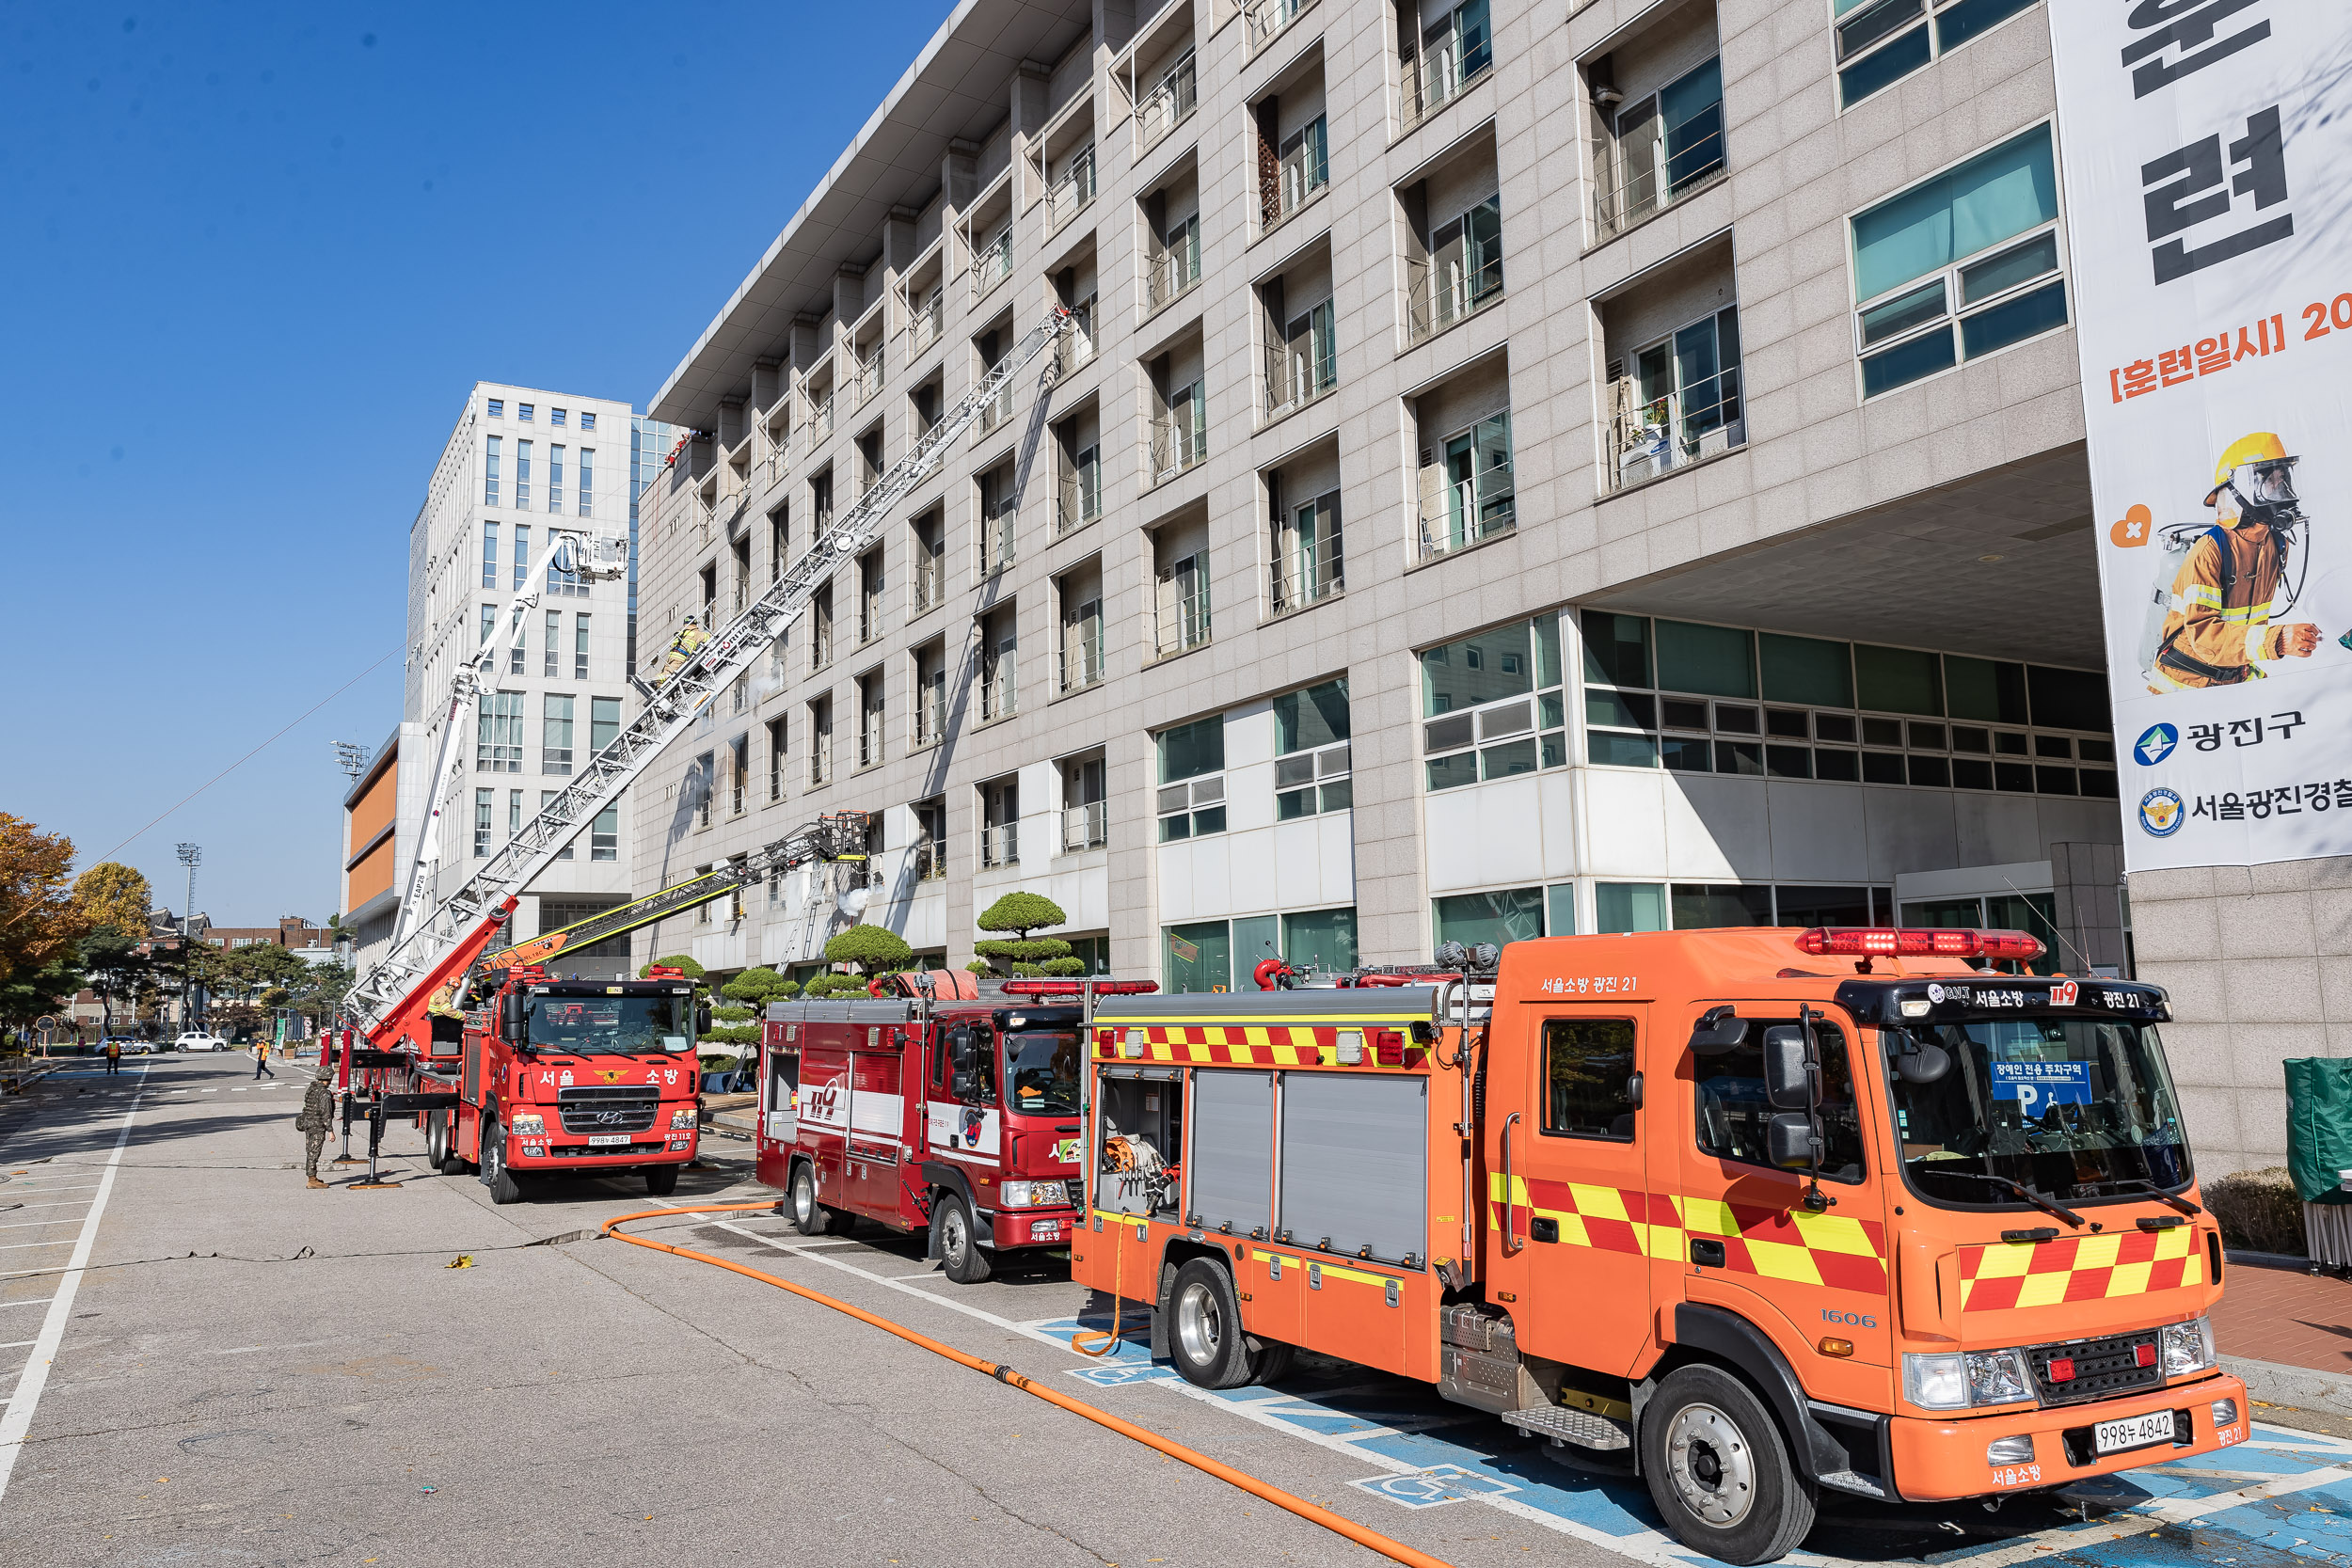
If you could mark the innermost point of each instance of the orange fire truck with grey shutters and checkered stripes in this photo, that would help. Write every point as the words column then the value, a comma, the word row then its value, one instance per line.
column 1751, row 1214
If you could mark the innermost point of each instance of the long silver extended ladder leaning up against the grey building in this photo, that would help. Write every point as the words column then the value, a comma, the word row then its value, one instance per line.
column 679, row 702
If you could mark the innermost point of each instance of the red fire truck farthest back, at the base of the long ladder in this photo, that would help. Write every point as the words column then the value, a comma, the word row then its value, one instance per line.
column 549, row 1076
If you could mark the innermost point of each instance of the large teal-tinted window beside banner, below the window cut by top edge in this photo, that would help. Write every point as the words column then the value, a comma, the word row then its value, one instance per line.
column 1960, row 267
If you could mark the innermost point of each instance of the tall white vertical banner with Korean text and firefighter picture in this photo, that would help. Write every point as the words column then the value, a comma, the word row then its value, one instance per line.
column 2207, row 152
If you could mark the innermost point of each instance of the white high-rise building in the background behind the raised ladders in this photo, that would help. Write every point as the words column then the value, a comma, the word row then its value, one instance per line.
column 519, row 464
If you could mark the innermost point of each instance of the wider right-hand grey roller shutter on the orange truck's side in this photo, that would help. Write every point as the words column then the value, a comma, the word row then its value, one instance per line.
column 1356, row 1162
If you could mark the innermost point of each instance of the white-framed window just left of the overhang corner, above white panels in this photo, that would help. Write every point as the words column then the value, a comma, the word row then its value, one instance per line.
column 1495, row 704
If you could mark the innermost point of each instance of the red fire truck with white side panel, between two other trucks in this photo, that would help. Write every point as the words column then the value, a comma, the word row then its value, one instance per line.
column 942, row 1111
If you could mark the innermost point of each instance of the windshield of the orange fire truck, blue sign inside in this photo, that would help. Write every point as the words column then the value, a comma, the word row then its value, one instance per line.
column 2071, row 1108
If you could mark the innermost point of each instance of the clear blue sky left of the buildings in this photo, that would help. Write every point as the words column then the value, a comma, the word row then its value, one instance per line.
column 253, row 260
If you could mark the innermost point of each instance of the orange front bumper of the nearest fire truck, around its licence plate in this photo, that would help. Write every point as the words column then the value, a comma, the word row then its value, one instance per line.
column 1939, row 1459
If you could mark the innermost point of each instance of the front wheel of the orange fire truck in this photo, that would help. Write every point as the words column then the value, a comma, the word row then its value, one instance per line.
column 1718, row 1470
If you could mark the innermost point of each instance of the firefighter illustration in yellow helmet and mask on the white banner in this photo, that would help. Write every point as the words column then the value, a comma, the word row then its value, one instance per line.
column 2219, row 596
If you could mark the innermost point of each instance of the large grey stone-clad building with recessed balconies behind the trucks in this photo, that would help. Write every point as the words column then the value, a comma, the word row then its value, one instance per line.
column 1518, row 471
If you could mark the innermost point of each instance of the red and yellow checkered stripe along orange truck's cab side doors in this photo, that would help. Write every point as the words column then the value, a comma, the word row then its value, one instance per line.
column 1817, row 1249
